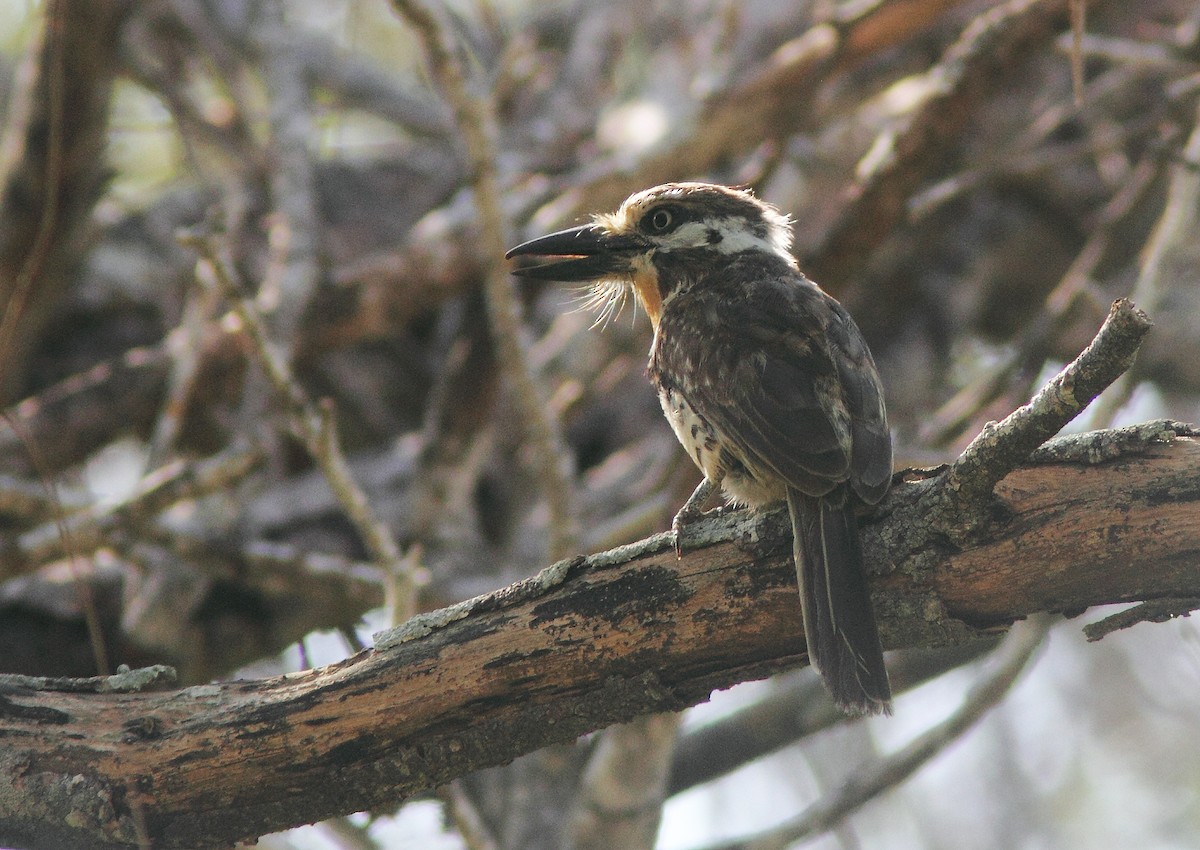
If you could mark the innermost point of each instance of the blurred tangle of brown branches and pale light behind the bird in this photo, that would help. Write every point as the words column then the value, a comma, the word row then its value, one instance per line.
column 974, row 206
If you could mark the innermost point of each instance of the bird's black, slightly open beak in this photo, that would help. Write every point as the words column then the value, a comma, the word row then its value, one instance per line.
column 580, row 254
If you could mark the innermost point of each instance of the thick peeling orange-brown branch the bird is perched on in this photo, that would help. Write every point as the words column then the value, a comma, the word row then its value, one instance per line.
column 585, row 644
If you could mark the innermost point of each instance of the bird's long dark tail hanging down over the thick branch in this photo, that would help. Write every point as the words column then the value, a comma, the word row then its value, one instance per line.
column 839, row 621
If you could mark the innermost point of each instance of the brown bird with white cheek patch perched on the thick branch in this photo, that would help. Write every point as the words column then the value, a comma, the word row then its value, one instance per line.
column 766, row 381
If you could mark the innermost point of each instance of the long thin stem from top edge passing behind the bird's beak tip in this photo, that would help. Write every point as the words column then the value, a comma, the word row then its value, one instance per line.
column 476, row 121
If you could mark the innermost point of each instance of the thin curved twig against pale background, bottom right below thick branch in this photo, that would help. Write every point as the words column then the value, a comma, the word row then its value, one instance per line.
column 1011, row 659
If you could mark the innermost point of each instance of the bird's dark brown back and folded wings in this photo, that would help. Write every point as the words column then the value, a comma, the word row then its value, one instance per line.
column 795, row 385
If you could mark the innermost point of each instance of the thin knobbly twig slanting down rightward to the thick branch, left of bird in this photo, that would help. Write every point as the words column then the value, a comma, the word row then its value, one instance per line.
column 315, row 427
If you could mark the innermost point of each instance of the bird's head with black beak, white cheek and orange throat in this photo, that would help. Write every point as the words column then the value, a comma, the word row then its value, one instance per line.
column 659, row 242
